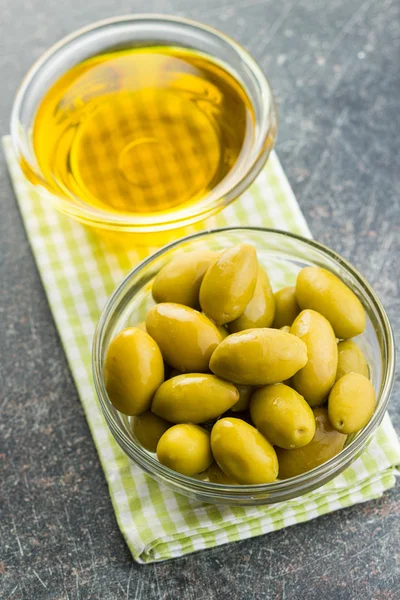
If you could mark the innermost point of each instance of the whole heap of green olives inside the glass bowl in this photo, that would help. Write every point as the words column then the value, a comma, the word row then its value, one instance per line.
column 230, row 382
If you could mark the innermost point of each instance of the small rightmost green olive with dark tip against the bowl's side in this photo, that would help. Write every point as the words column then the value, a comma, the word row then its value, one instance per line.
column 351, row 403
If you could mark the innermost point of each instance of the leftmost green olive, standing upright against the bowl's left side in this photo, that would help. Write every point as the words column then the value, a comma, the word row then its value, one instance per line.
column 133, row 370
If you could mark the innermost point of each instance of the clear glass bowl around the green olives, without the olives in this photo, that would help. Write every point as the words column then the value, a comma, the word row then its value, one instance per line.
column 283, row 254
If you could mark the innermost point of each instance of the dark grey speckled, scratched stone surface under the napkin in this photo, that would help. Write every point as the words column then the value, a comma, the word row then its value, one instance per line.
column 335, row 70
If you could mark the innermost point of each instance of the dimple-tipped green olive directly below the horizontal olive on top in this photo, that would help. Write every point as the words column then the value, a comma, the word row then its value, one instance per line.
column 282, row 416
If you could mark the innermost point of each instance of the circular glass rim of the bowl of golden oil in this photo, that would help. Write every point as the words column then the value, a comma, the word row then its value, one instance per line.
column 133, row 222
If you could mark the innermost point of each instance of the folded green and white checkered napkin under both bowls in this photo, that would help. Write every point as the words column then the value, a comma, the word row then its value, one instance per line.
column 79, row 273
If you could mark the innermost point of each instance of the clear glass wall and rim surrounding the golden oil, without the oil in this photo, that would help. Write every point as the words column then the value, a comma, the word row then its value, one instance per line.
column 140, row 31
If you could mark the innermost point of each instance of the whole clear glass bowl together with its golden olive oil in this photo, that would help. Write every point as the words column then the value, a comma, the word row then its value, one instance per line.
column 143, row 123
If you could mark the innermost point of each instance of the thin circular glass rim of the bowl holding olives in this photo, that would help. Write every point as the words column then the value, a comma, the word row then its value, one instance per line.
column 300, row 482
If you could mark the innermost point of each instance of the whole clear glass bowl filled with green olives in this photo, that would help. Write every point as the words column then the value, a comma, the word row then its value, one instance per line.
column 243, row 365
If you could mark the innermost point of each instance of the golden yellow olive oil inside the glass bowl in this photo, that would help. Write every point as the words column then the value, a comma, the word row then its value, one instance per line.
column 142, row 130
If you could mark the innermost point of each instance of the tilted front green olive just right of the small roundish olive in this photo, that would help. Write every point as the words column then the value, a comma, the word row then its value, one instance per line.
column 243, row 453
